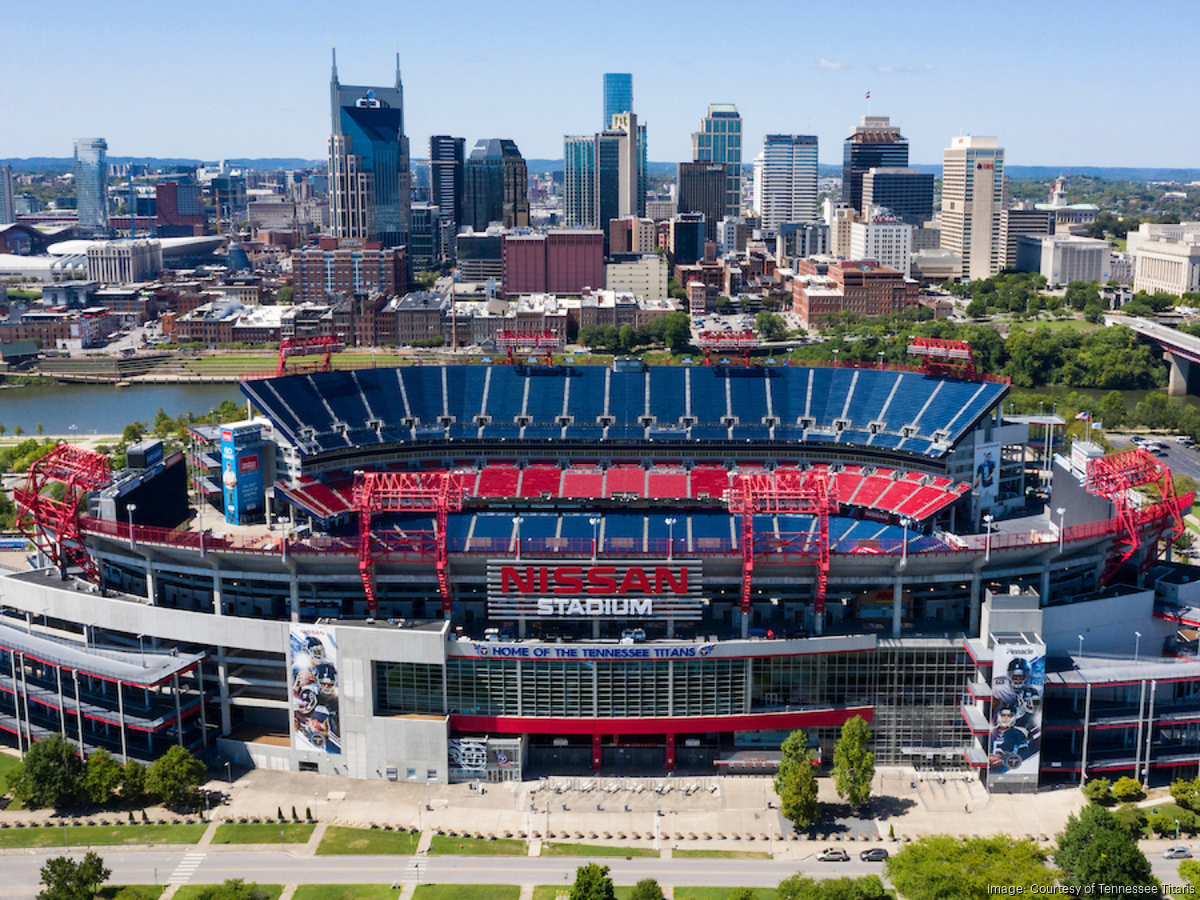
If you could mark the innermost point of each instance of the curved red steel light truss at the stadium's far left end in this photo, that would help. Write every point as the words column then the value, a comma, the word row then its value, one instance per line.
column 53, row 525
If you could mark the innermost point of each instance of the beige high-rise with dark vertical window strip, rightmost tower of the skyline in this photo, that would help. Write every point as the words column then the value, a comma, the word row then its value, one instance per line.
column 973, row 201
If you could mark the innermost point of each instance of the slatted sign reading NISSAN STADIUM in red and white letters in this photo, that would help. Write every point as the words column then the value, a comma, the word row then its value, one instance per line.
column 556, row 590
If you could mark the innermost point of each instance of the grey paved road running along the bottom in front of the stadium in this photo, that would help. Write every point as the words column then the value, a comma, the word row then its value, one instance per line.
column 21, row 873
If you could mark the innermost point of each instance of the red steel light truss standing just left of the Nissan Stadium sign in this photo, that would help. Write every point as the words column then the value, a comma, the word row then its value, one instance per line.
column 439, row 493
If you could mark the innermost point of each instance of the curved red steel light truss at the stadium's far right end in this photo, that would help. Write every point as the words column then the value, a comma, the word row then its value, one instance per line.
column 1115, row 477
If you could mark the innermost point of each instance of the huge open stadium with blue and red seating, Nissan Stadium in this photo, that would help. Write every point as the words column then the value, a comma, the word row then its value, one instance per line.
column 491, row 572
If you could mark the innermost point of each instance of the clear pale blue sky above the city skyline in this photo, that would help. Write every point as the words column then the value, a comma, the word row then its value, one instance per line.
column 1059, row 82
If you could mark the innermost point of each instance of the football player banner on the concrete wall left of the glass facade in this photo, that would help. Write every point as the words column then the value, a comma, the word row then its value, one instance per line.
column 314, row 658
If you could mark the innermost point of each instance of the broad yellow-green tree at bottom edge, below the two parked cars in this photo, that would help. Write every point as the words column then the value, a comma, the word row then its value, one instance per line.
column 939, row 867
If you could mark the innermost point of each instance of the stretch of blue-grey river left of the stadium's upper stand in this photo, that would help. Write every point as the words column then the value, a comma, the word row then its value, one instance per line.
column 105, row 409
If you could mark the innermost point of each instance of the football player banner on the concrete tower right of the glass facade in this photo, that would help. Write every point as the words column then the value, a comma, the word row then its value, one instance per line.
column 1018, row 686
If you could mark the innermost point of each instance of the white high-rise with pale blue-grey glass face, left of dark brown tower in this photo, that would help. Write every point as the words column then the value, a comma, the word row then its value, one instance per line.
column 785, row 181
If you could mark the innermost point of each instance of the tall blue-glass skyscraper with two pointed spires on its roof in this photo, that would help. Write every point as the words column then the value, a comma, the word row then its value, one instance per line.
column 370, row 179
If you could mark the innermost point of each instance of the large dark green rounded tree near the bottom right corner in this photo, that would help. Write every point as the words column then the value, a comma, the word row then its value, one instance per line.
column 1096, row 849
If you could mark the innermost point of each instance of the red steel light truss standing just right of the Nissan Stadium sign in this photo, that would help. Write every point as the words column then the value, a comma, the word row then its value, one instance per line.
column 791, row 493
